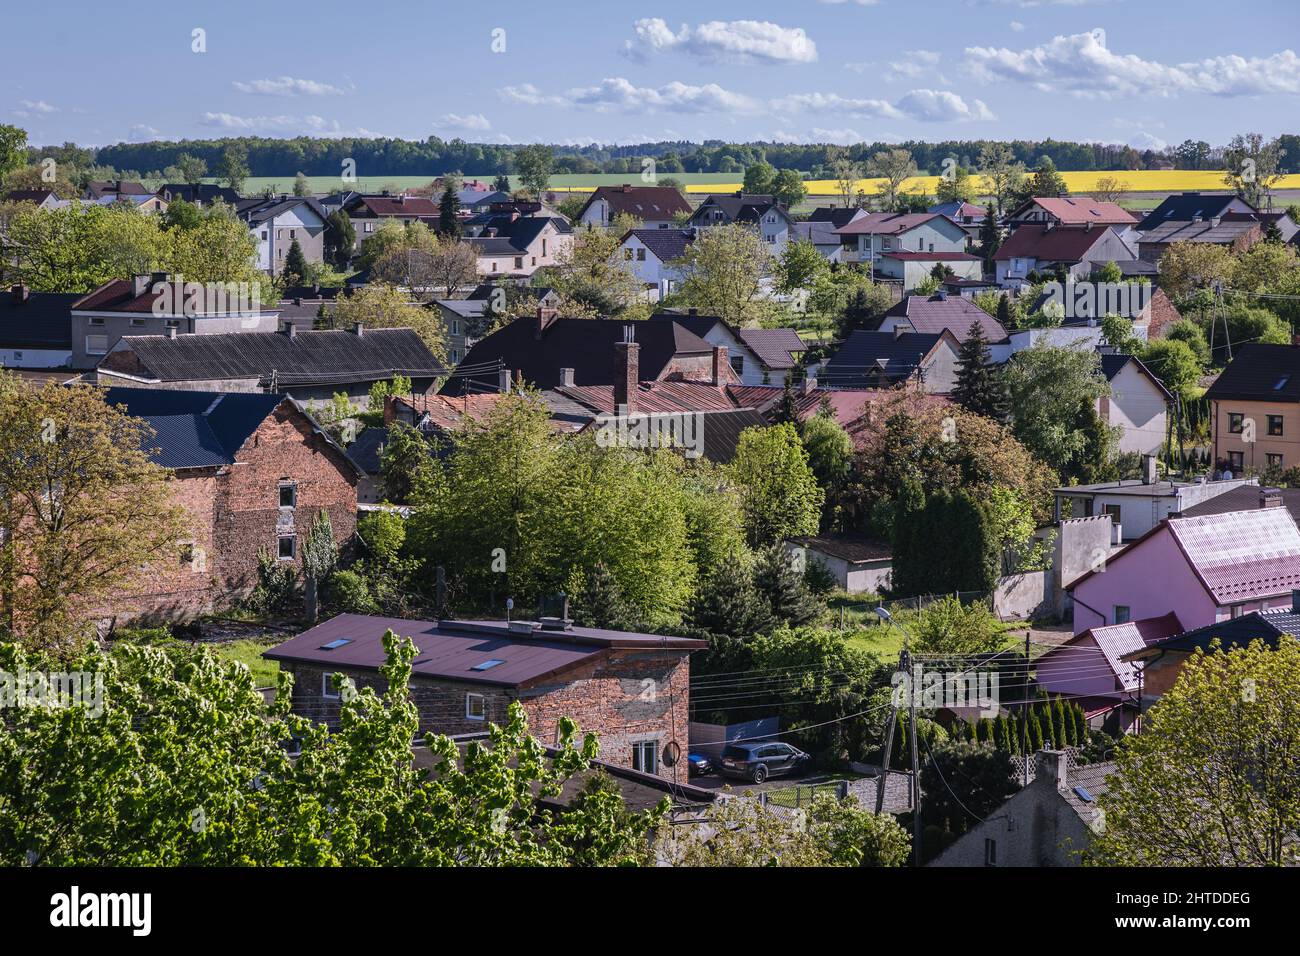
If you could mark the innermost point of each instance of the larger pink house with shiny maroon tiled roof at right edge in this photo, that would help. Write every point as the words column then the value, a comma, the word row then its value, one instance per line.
column 1204, row 569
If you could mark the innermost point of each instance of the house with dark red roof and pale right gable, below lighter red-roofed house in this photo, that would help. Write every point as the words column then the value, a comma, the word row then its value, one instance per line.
column 1048, row 249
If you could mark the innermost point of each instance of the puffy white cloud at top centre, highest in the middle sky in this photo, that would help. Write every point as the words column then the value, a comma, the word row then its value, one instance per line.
column 735, row 42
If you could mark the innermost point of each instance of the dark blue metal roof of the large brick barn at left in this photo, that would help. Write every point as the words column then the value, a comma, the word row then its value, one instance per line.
column 196, row 430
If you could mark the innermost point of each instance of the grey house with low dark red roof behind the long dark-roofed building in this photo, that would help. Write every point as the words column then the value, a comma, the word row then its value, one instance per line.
column 166, row 306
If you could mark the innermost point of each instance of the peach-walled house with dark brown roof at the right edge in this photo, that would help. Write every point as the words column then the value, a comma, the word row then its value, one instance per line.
column 1255, row 409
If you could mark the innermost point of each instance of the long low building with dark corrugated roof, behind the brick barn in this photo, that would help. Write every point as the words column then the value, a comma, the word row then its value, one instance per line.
column 307, row 366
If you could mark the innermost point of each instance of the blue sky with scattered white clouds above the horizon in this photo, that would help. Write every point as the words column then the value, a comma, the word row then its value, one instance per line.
column 1142, row 72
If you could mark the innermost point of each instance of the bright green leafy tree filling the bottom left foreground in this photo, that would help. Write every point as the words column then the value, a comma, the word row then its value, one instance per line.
column 184, row 765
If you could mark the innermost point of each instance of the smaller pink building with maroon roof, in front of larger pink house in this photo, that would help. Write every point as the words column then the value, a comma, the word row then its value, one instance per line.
column 1090, row 668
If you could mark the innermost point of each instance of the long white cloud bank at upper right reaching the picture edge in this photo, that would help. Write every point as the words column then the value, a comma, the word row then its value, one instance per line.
column 1082, row 66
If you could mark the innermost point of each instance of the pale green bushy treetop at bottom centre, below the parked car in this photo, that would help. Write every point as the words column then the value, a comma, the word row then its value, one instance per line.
column 831, row 833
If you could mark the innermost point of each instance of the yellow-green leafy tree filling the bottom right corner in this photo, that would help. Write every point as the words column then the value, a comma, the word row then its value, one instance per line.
column 1215, row 777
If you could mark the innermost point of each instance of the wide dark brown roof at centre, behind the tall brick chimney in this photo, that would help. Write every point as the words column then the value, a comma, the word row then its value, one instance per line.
column 541, row 349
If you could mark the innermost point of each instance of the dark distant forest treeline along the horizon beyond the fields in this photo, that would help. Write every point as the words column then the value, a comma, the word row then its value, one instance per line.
column 317, row 157
